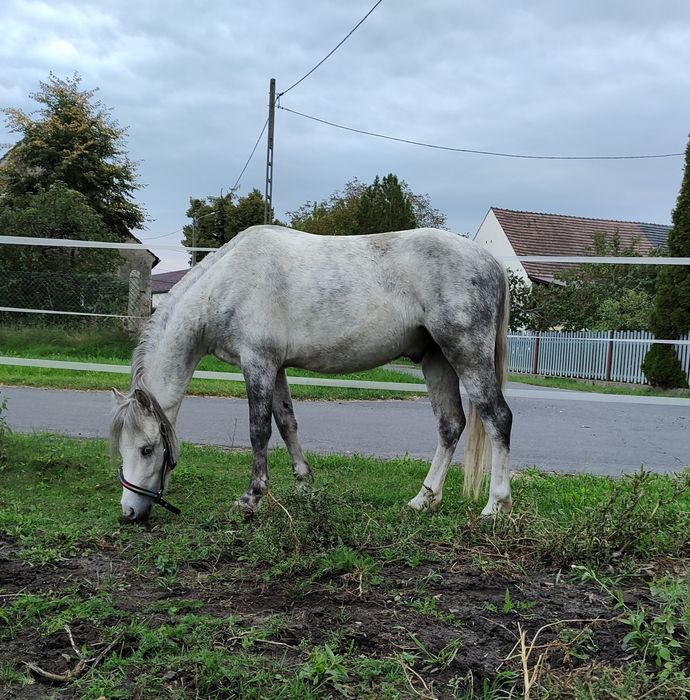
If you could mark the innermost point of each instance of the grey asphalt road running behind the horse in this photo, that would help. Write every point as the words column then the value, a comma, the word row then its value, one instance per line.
column 550, row 432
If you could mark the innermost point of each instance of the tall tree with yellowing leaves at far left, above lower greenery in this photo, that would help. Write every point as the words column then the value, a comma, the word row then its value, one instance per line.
column 72, row 140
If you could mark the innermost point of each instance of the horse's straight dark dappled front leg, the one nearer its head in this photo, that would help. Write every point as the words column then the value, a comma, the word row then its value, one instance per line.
column 260, row 379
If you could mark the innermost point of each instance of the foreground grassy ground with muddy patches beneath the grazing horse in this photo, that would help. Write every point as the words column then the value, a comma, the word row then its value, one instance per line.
column 341, row 592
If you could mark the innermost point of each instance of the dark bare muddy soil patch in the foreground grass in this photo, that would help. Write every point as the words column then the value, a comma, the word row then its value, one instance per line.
column 434, row 604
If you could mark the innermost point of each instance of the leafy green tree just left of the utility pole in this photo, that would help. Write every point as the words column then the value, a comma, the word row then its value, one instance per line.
column 220, row 219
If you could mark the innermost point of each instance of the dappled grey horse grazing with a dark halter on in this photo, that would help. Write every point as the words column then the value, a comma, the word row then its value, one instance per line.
column 274, row 298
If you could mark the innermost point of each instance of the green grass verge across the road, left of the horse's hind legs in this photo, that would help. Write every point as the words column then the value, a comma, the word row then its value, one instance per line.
column 113, row 346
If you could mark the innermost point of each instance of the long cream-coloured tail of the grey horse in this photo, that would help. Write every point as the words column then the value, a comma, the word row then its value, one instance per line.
column 477, row 460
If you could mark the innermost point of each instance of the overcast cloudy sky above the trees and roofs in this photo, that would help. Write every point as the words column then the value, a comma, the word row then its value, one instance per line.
column 544, row 77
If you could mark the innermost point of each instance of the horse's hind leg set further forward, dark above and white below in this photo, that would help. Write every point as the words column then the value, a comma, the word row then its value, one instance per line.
column 444, row 393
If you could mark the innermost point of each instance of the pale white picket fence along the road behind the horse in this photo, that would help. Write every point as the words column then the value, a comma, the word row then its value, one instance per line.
column 606, row 355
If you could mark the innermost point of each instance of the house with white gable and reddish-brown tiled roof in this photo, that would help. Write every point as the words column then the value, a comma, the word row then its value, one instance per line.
column 509, row 233
